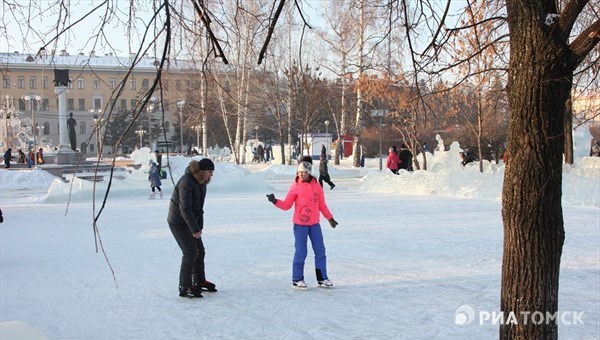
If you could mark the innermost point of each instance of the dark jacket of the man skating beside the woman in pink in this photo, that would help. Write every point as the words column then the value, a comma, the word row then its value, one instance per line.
column 187, row 200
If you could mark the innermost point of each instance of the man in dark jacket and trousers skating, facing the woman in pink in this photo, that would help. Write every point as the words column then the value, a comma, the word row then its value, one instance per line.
column 186, row 221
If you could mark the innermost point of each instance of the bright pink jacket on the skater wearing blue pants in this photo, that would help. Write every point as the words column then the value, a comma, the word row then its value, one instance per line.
column 308, row 200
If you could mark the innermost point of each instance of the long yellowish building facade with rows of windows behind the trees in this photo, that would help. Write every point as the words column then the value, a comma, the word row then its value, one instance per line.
column 98, row 85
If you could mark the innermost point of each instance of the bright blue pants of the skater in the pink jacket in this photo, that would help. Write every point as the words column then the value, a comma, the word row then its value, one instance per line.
column 301, row 233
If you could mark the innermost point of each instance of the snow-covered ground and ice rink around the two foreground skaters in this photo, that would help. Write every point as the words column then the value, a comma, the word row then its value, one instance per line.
column 416, row 256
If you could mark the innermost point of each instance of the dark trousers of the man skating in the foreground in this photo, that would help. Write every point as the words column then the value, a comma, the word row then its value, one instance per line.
column 192, row 261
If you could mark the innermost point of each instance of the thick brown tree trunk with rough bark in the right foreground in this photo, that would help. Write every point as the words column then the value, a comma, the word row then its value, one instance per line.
column 539, row 86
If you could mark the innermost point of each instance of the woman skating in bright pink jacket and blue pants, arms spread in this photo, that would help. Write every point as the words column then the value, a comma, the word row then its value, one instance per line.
column 306, row 195
